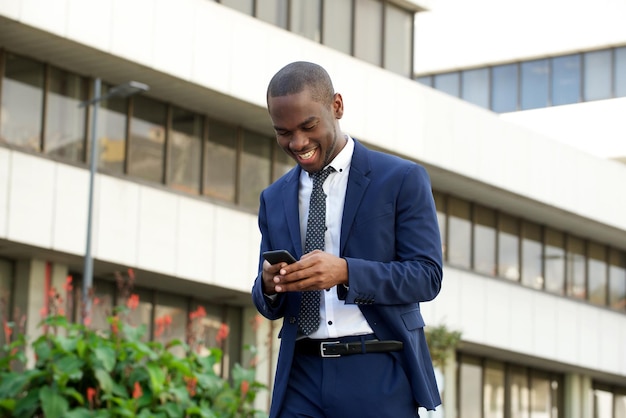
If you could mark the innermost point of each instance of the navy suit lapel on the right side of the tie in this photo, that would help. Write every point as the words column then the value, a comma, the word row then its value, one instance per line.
column 358, row 181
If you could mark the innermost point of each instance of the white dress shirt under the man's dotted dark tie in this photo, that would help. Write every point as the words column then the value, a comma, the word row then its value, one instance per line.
column 338, row 319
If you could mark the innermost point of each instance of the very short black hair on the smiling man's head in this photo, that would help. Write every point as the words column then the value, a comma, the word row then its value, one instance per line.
column 297, row 76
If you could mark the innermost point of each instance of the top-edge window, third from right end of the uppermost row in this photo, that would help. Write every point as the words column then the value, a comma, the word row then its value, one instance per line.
column 337, row 25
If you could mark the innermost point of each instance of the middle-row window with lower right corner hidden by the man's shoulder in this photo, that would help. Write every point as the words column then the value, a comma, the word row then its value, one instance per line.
column 255, row 168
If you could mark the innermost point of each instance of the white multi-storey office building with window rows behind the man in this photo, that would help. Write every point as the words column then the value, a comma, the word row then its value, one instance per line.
column 533, row 228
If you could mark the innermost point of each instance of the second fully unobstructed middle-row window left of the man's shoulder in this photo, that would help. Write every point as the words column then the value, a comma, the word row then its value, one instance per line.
column 185, row 151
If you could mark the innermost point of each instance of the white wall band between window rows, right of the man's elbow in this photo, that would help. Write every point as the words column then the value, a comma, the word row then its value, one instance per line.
column 511, row 317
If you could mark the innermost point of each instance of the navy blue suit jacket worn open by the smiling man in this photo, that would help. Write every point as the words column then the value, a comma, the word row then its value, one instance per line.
column 390, row 240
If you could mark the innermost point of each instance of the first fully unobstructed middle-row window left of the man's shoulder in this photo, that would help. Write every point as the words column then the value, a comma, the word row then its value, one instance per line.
column 220, row 162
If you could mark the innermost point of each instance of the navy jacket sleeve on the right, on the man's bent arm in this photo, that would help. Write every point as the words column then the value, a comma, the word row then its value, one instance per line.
column 394, row 252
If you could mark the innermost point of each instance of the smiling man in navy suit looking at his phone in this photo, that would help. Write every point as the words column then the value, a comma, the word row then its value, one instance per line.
column 361, row 352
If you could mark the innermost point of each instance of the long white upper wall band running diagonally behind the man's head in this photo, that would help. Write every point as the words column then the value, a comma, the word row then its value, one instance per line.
column 381, row 108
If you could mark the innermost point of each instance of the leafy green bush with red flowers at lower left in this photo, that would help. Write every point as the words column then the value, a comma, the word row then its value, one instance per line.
column 79, row 372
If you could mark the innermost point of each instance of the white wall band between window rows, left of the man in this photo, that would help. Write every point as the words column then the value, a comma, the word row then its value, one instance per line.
column 43, row 203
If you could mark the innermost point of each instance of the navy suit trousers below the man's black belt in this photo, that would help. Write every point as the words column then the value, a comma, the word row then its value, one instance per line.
column 372, row 385
